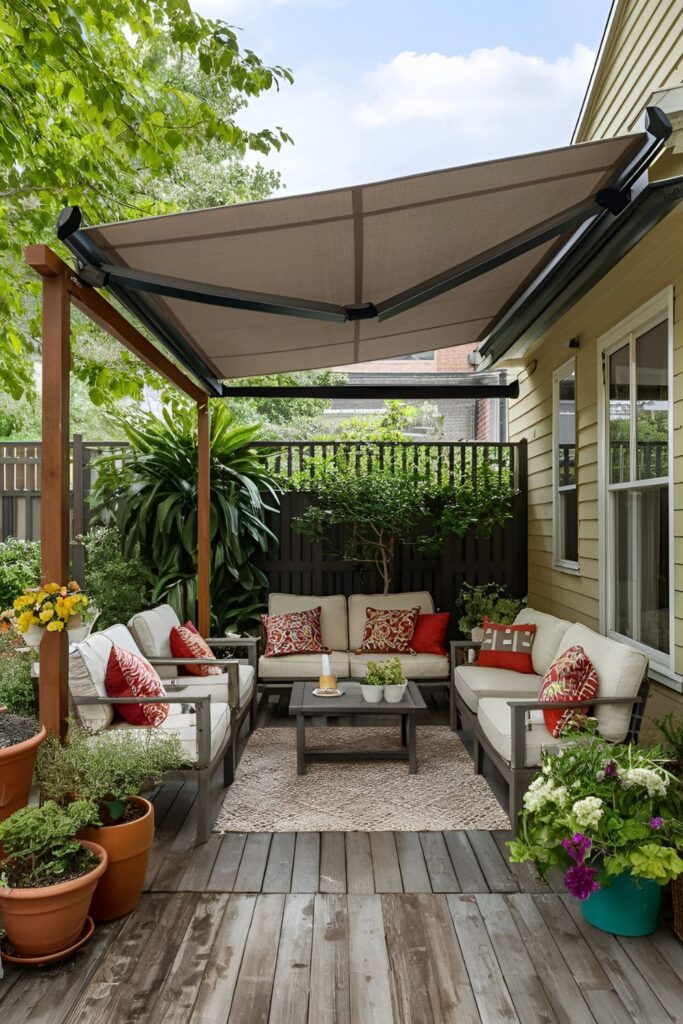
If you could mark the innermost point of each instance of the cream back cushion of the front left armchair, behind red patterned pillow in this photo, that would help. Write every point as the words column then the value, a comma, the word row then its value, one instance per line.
column 88, row 669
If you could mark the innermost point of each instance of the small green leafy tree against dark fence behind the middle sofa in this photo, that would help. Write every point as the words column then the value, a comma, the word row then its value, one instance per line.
column 374, row 508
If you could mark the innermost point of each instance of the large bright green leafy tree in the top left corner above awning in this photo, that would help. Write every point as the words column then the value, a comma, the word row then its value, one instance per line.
column 93, row 111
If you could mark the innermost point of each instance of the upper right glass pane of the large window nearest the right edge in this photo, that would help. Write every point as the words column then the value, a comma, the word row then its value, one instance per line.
column 653, row 403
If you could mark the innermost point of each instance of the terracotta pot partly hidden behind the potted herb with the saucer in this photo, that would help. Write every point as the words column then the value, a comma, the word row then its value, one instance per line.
column 129, row 850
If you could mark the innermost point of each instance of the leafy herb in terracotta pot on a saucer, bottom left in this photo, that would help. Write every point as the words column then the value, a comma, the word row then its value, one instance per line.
column 48, row 878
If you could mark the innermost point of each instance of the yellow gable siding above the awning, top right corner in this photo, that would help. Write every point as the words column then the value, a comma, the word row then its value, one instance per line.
column 645, row 54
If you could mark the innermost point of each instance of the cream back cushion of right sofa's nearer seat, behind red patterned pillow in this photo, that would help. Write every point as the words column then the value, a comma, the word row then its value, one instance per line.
column 621, row 671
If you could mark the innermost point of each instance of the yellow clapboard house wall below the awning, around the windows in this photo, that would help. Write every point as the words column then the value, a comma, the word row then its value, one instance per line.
column 654, row 265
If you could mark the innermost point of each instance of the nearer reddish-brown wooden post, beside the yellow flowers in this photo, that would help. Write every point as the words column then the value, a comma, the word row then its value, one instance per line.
column 54, row 688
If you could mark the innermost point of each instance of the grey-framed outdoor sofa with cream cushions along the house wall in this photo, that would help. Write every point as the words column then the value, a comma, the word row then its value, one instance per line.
column 503, row 710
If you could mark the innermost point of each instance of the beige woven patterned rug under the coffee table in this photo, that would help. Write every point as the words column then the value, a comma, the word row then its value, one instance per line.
column 380, row 796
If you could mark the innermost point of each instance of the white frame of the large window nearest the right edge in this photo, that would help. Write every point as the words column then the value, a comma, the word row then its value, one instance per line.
column 650, row 315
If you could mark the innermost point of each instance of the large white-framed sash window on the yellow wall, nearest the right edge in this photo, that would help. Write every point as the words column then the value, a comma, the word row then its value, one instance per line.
column 637, row 499
